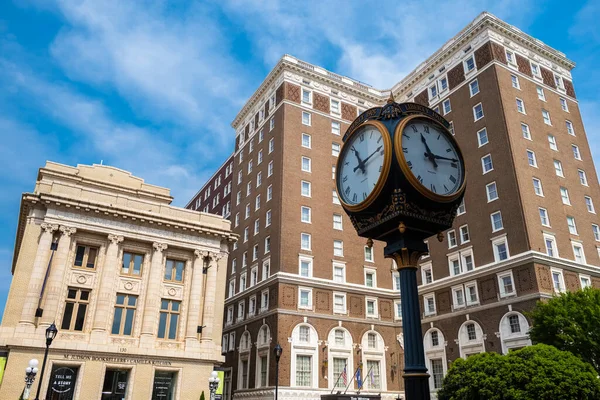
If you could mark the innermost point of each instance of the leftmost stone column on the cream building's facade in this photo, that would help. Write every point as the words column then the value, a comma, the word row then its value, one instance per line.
column 38, row 272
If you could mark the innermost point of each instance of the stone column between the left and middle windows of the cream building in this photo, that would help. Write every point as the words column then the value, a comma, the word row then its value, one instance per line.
column 106, row 289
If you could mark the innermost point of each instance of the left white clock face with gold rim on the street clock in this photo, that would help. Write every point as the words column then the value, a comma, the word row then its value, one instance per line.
column 362, row 163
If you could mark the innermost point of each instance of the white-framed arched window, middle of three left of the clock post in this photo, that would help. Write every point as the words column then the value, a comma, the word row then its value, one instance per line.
column 339, row 357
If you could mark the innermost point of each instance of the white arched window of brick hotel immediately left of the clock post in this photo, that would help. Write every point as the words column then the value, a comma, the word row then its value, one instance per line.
column 373, row 360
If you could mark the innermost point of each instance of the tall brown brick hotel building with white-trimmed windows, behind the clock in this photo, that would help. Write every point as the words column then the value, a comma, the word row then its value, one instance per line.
column 300, row 276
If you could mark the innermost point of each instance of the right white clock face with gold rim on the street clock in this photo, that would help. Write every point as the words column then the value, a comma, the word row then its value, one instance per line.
column 432, row 157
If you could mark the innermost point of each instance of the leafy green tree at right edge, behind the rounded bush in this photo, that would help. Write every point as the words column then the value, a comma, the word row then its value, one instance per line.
column 570, row 322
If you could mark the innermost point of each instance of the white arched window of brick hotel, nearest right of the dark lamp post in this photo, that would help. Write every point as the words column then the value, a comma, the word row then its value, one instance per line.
column 304, row 356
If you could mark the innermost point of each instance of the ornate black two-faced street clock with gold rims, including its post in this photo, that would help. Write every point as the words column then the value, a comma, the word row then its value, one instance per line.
column 400, row 178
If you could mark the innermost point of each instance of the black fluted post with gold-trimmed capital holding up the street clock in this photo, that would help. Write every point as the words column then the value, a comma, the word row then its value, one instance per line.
column 406, row 255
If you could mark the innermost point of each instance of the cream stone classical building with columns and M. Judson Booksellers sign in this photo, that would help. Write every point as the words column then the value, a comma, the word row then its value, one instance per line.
column 134, row 285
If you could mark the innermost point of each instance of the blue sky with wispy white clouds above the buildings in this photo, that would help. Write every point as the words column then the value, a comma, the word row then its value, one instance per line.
column 152, row 86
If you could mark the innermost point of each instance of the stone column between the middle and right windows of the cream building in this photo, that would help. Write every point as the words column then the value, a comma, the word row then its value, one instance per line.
column 152, row 305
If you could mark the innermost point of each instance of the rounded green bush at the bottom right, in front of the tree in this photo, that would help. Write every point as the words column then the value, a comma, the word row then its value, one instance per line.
column 537, row 372
